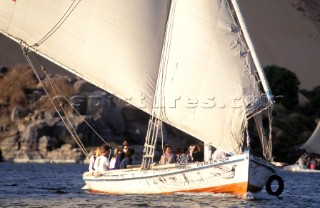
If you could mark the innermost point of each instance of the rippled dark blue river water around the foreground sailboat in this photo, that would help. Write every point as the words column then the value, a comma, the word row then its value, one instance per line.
column 59, row 185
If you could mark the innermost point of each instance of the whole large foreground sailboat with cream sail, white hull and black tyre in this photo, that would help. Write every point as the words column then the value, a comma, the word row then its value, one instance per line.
column 190, row 64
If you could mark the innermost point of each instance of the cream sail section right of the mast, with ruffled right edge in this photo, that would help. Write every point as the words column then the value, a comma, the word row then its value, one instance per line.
column 208, row 84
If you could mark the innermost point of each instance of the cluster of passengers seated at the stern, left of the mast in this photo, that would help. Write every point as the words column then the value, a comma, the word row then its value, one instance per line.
column 103, row 159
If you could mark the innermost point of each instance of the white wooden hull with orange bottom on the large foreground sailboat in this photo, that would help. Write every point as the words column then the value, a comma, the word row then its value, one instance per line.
column 235, row 175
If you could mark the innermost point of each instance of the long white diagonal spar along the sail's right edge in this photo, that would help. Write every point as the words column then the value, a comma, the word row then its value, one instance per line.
column 252, row 49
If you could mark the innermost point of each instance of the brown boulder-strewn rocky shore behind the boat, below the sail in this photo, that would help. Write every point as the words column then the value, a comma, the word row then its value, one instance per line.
column 31, row 130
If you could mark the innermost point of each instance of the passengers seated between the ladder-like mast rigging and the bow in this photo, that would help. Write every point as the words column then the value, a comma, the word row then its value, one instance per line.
column 194, row 153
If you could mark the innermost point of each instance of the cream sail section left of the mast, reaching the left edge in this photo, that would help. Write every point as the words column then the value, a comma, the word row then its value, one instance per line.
column 115, row 45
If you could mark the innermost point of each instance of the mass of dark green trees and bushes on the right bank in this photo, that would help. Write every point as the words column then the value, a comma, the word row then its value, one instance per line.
column 293, row 122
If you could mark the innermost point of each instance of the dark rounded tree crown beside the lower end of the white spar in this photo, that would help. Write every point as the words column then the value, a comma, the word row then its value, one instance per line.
column 284, row 83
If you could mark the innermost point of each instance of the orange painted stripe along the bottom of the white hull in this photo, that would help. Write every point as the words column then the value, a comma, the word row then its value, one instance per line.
column 237, row 188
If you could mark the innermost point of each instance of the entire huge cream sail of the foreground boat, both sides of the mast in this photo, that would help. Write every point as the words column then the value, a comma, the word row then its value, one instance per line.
column 185, row 58
